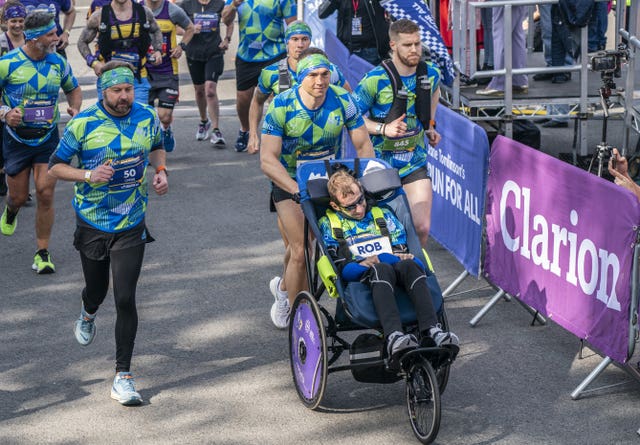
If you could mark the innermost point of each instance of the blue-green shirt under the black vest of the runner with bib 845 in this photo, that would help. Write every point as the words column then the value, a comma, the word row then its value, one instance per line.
column 374, row 95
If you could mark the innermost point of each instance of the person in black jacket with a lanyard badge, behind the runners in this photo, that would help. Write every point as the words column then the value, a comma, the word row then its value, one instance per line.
column 362, row 27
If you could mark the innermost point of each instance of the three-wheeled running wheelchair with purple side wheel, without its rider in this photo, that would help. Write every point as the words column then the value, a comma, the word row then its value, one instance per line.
column 315, row 343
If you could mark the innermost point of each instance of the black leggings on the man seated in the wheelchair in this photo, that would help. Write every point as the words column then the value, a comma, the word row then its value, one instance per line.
column 383, row 279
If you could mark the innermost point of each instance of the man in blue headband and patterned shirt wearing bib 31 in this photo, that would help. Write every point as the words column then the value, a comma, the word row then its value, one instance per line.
column 30, row 79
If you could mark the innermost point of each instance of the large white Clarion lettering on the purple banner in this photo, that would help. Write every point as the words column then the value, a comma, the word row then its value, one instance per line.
column 536, row 248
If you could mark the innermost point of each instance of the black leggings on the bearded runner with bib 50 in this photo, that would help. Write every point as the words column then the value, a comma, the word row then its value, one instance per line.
column 125, row 266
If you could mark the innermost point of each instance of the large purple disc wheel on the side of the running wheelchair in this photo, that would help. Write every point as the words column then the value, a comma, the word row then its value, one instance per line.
column 308, row 350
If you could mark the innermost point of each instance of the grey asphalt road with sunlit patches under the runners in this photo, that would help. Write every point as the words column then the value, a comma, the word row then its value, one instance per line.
column 213, row 370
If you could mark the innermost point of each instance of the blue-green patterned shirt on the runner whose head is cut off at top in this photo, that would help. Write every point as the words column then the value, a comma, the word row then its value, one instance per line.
column 261, row 26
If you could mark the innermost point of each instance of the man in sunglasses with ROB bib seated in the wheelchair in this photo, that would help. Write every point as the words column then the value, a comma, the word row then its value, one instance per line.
column 368, row 244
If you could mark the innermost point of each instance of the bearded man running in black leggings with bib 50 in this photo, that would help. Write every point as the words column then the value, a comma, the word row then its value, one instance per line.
column 115, row 141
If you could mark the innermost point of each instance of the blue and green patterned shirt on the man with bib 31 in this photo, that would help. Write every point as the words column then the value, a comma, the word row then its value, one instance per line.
column 34, row 87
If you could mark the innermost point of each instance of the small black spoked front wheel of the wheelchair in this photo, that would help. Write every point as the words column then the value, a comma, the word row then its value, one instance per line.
column 423, row 401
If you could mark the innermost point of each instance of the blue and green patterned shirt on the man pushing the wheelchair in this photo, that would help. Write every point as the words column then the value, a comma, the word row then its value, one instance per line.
column 310, row 134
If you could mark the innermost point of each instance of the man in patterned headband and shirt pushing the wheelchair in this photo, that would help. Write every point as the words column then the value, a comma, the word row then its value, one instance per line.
column 304, row 123
